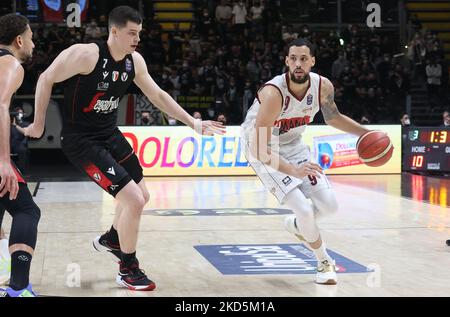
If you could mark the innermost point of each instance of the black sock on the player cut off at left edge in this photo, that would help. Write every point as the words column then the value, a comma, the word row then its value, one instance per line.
column 20, row 270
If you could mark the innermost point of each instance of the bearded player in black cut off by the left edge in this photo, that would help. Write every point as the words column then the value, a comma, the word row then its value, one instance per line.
column 16, row 47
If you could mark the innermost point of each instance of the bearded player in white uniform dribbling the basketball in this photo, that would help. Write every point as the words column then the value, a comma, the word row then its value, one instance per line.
column 272, row 134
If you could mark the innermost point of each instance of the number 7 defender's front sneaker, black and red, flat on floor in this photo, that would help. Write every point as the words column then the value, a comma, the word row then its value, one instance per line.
column 134, row 278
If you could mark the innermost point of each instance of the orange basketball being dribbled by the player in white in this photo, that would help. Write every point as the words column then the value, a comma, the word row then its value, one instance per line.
column 374, row 148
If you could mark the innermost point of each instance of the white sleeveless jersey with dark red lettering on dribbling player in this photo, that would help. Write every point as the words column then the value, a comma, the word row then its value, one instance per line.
column 296, row 111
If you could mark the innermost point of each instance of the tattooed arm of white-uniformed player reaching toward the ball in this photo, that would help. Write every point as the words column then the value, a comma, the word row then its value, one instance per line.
column 331, row 113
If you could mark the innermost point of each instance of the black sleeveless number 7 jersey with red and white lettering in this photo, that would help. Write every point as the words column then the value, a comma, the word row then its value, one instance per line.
column 91, row 101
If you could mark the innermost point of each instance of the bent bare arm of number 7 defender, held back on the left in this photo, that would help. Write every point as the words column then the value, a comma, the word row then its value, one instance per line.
column 77, row 59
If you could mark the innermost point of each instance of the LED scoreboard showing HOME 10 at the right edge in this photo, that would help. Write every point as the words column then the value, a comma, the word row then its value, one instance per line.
column 426, row 149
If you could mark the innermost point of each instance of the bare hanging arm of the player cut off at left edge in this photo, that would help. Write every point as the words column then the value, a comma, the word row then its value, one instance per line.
column 10, row 80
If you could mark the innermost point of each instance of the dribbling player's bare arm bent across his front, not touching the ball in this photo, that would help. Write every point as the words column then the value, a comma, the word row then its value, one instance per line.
column 271, row 103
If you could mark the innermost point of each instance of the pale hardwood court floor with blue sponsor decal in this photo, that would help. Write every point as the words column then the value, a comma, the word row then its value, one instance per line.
column 395, row 225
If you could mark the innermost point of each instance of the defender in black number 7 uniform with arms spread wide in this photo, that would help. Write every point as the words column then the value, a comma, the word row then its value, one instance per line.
column 96, row 77
